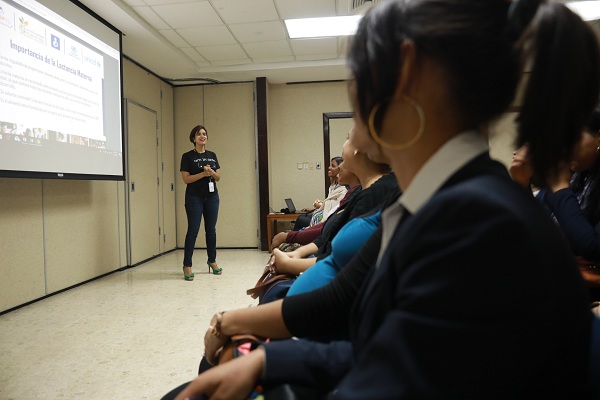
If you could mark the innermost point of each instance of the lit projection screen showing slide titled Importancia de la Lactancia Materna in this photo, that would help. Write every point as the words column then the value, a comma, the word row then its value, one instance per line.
column 60, row 95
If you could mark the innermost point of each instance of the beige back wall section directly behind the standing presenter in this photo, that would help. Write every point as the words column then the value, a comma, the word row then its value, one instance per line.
column 227, row 111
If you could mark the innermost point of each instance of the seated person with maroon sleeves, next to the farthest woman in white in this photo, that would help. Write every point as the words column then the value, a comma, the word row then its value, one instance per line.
column 307, row 235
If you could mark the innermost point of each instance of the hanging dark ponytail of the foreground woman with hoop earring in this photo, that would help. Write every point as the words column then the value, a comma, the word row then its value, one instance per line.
column 562, row 88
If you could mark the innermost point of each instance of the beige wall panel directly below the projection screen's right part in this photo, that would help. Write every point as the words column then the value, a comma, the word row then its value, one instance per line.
column 81, row 231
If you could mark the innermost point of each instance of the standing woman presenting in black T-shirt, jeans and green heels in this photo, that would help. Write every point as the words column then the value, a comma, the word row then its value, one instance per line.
column 200, row 171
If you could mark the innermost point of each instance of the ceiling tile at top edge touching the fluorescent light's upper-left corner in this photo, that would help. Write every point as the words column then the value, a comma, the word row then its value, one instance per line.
column 236, row 11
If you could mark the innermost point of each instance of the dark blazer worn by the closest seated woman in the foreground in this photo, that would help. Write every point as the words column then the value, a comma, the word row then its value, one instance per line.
column 477, row 297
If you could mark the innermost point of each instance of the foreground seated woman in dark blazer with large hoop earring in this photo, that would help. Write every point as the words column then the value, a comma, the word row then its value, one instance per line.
column 460, row 255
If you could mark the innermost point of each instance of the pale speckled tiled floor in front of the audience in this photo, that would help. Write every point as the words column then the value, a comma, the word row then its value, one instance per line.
column 134, row 334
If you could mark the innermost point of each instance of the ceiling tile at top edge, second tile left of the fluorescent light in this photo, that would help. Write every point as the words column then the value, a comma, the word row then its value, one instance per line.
column 187, row 15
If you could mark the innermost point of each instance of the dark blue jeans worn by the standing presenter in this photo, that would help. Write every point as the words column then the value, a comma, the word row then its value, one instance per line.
column 195, row 208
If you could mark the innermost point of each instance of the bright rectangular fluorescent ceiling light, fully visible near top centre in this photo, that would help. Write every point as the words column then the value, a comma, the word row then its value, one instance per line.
column 322, row 27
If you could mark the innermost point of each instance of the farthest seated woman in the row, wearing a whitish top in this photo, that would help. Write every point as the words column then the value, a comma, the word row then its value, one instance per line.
column 322, row 208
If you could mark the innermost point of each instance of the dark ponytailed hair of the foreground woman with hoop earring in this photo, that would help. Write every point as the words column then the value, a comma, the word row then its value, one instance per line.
column 483, row 47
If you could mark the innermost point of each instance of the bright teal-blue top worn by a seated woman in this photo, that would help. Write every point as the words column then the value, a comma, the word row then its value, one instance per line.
column 344, row 246
